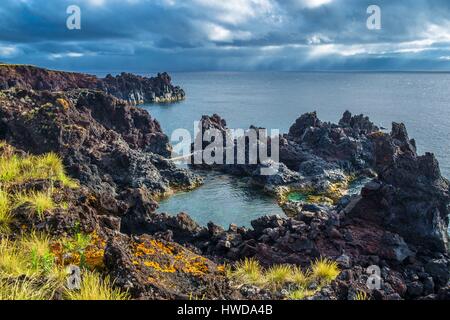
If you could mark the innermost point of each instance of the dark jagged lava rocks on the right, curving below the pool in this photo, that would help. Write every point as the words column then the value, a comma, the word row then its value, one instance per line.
column 399, row 221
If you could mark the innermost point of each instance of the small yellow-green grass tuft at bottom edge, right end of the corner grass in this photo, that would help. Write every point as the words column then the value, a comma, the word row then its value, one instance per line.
column 93, row 287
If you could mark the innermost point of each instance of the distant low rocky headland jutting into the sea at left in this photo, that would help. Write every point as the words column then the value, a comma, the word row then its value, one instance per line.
column 132, row 88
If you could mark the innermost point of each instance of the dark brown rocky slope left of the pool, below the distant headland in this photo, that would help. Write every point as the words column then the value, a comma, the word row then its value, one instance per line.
column 107, row 144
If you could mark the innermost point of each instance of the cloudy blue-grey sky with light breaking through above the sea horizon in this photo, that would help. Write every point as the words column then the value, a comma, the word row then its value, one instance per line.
column 227, row 35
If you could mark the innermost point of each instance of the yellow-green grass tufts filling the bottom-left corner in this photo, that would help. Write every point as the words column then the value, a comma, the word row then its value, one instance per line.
column 28, row 271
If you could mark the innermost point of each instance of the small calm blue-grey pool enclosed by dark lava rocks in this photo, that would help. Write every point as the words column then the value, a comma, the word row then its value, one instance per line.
column 224, row 200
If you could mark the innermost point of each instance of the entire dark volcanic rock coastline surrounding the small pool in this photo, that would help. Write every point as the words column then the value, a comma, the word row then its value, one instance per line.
column 117, row 155
